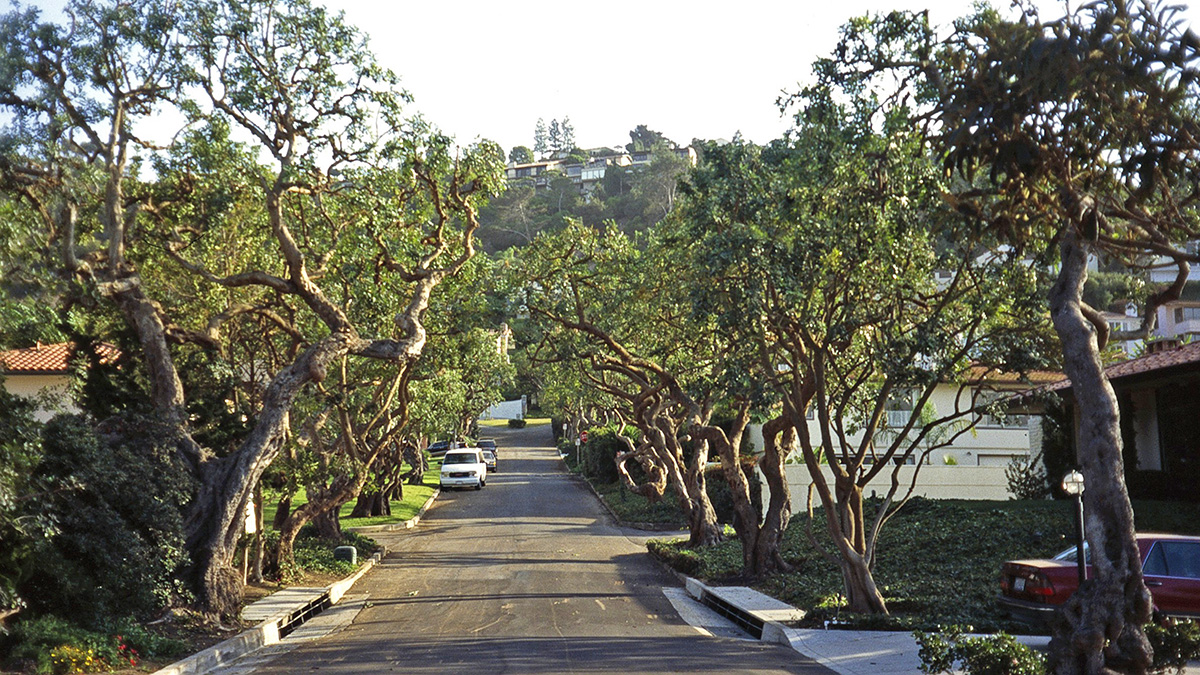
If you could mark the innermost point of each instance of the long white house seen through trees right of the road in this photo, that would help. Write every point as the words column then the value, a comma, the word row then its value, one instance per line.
column 973, row 468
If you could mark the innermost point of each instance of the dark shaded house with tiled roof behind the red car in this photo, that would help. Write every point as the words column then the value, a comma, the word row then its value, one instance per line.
column 1160, row 421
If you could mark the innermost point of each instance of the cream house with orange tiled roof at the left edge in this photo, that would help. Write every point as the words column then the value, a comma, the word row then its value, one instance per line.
column 43, row 373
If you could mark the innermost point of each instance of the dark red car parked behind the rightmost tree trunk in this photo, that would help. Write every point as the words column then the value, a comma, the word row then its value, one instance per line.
column 1031, row 590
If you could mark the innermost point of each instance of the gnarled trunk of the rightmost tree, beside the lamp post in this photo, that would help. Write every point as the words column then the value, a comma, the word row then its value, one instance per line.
column 1102, row 626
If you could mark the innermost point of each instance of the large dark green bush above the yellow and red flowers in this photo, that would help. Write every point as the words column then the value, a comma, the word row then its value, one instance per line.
column 119, row 542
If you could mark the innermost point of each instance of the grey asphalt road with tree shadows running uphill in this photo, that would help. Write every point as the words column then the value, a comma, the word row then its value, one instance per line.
column 527, row 576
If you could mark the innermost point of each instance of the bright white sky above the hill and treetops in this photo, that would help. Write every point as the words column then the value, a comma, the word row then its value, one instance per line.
column 489, row 69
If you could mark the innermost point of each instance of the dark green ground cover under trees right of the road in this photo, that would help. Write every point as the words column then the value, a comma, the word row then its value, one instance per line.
column 938, row 561
